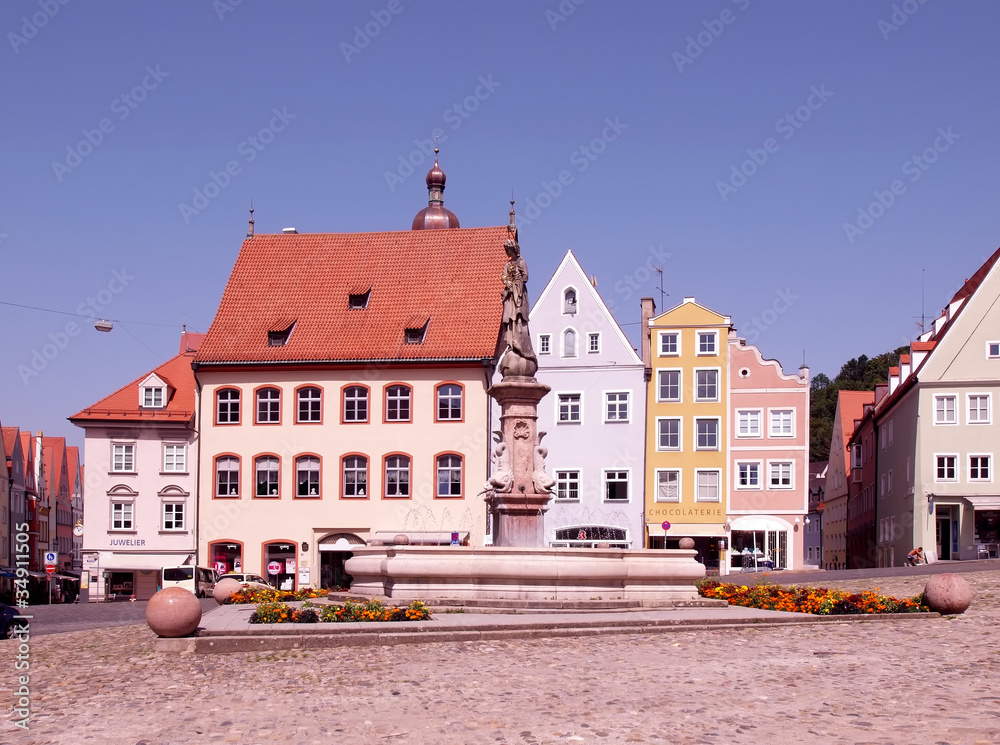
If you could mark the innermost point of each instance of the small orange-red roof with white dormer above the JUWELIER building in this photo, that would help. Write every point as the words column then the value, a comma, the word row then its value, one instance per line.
column 123, row 404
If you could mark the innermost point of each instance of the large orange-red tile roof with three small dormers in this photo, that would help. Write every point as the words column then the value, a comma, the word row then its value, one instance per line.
column 451, row 277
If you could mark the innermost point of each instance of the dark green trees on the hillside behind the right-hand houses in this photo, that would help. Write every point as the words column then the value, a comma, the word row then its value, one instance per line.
column 858, row 374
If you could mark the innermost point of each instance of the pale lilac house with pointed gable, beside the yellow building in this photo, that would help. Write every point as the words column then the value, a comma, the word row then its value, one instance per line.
column 594, row 416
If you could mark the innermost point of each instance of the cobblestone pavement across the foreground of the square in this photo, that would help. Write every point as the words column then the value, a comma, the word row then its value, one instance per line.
column 933, row 681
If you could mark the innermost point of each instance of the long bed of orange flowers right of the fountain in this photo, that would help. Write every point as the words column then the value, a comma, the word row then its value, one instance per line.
column 815, row 600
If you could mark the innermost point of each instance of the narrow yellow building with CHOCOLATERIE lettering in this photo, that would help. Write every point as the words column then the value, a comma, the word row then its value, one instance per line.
column 685, row 352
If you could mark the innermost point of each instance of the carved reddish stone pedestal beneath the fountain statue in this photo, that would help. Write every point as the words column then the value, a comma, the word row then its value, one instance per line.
column 519, row 512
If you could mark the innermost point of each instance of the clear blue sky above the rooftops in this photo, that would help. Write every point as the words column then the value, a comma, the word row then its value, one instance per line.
column 180, row 89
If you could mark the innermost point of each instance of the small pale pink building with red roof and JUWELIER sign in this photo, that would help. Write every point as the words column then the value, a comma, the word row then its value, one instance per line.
column 140, row 511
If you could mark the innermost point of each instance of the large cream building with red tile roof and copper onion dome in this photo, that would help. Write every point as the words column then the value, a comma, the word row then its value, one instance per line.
column 343, row 395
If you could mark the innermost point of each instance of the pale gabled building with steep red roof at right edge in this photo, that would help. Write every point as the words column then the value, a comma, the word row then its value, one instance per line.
column 939, row 434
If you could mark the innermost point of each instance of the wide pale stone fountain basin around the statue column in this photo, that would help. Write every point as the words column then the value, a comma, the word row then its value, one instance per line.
column 492, row 572
